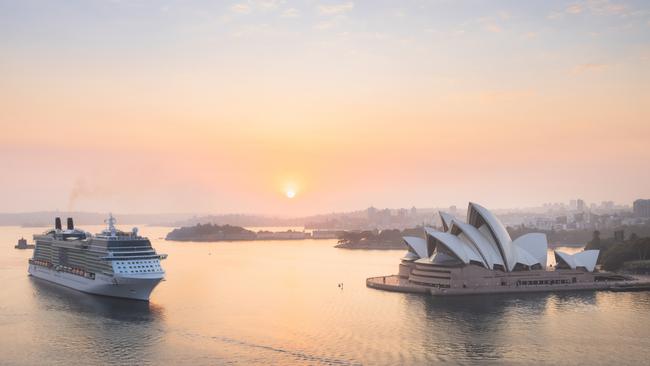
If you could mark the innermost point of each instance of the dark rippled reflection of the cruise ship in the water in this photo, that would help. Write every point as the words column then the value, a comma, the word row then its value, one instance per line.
column 94, row 329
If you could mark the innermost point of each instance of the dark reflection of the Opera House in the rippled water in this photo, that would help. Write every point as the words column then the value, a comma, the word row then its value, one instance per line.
column 496, row 327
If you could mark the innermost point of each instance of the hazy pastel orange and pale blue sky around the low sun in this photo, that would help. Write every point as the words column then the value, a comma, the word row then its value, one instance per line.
column 222, row 106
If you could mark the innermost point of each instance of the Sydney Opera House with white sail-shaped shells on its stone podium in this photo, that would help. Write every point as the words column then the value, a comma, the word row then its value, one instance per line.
column 479, row 256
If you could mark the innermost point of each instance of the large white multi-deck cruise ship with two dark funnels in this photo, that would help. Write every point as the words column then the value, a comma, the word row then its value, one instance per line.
column 111, row 263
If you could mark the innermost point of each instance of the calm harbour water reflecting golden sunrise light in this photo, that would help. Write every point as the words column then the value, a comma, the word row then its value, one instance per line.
column 278, row 303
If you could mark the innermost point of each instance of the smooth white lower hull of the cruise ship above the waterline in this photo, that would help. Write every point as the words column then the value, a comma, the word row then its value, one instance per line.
column 136, row 288
